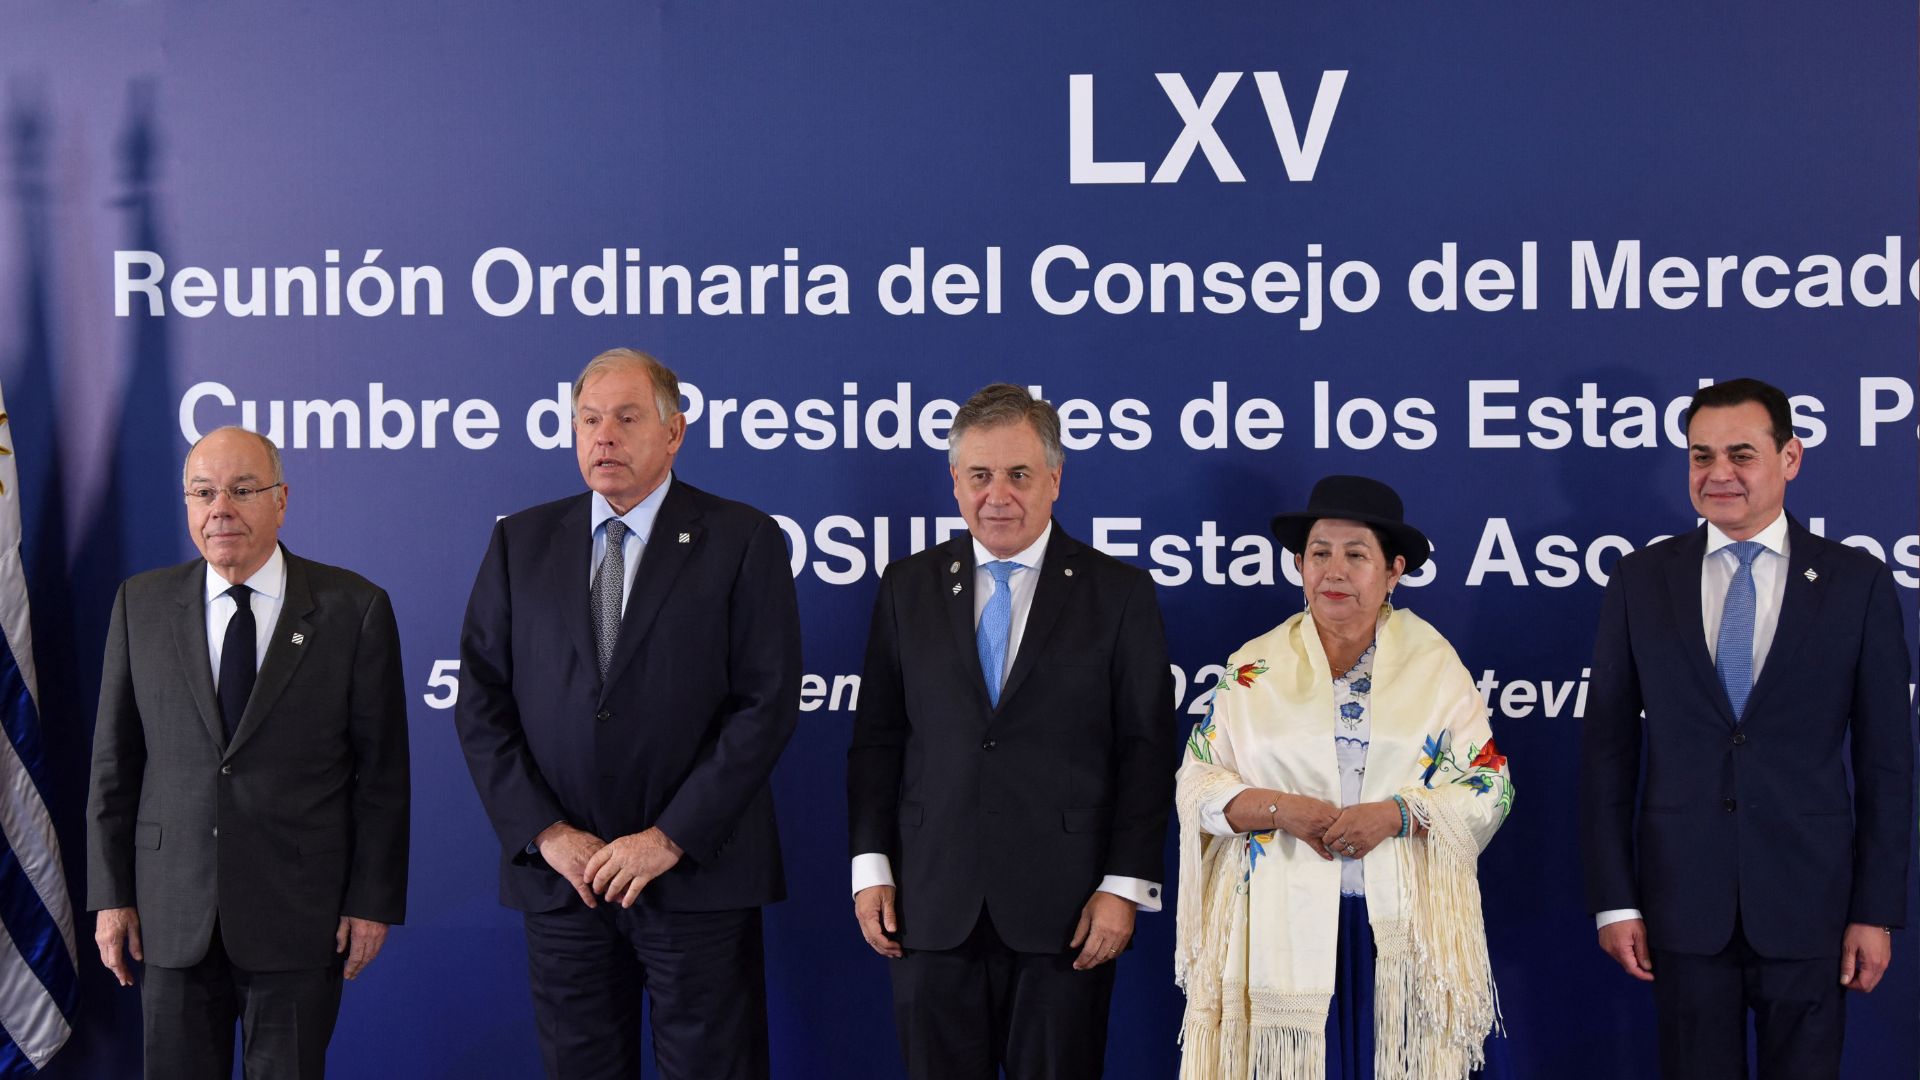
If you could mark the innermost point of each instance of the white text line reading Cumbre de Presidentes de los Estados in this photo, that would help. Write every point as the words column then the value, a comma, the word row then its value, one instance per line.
column 1499, row 418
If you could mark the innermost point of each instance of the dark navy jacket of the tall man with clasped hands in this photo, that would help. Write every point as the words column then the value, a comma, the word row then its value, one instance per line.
column 698, row 704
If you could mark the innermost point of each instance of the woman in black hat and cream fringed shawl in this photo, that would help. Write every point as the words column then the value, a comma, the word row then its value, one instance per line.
column 1333, row 808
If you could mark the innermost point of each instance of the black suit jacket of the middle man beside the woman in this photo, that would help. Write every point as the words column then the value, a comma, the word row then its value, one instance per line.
column 1028, row 806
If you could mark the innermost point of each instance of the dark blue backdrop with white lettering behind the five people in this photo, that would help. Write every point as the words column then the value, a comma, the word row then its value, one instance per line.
column 1479, row 251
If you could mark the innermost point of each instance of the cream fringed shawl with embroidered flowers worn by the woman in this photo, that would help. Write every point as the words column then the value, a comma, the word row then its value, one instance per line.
column 1259, row 916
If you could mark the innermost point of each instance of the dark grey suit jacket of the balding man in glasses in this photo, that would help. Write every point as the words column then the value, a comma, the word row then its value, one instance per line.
column 295, row 823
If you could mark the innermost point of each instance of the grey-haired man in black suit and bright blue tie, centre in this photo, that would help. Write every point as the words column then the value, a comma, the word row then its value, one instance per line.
column 1011, row 768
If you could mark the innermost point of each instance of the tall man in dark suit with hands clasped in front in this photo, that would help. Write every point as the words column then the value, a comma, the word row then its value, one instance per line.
column 631, row 672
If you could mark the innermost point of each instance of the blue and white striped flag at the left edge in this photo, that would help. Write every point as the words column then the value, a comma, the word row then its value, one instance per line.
column 37, row 958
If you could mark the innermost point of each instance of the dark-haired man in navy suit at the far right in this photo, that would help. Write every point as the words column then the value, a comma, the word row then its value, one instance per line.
column 1754, row 649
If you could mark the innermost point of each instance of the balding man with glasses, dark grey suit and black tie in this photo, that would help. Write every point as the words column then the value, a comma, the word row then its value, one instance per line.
column 247, row 831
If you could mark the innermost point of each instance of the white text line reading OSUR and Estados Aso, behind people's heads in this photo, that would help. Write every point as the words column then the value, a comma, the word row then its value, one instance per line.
column 844, row 551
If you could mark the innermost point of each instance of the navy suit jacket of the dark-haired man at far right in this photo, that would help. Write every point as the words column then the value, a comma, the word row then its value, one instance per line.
column 1750, row 814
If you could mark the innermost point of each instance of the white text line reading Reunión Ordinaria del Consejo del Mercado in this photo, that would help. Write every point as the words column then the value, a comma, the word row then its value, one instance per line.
column 1063, row 282
